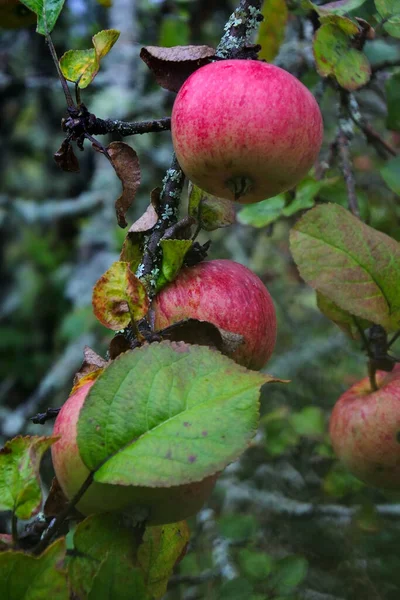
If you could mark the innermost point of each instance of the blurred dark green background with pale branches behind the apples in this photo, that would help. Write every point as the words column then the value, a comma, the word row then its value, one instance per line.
column 286, row 521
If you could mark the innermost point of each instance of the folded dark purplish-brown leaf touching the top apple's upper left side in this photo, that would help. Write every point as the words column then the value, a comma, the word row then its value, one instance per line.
column 172, row 66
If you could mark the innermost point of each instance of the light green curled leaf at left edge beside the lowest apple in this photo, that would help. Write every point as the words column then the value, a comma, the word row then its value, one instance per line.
column 20, row 489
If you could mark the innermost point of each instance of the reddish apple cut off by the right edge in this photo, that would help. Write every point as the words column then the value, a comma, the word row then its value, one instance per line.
column 365, row 430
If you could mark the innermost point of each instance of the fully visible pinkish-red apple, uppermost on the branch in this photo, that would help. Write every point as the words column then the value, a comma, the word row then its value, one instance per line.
column 245, row 130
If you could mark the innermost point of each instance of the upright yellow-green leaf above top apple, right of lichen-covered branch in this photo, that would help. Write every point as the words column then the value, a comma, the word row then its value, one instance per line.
column 271, row 32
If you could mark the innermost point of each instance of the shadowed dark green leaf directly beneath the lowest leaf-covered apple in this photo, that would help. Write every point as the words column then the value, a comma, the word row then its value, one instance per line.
column 95, row 539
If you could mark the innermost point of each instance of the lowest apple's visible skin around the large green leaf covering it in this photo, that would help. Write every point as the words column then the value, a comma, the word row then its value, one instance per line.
column 162, row 505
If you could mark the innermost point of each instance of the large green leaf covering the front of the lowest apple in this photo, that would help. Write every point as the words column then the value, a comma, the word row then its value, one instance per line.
column 195, row 412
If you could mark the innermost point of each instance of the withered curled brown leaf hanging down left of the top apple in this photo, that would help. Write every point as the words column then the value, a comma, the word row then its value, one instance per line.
column 126, row 164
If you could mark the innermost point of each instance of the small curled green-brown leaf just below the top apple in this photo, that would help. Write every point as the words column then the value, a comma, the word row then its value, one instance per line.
column 210, row 212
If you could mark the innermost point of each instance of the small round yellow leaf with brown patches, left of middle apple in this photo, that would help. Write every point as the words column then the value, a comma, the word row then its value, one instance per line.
column 119, row 296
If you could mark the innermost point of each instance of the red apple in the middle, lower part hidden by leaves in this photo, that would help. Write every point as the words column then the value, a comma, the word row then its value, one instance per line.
column 228, row 295
